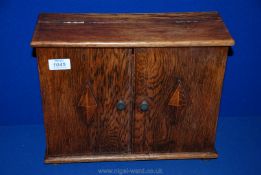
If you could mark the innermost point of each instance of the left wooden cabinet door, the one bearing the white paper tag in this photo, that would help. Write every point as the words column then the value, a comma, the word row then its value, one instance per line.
column 79, row 104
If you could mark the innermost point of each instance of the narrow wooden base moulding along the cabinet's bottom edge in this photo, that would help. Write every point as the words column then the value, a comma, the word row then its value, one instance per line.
column 130, row 157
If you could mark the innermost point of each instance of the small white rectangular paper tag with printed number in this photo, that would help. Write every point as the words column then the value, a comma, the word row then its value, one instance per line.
column 59, row 64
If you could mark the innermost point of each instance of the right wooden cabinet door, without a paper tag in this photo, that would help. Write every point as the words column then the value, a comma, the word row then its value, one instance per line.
column 177, row 94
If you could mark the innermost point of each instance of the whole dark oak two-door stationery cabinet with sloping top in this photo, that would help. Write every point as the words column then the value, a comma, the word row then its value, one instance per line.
column 130, row 86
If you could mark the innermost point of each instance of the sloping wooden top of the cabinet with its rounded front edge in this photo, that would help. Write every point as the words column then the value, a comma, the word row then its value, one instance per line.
column 131, row 30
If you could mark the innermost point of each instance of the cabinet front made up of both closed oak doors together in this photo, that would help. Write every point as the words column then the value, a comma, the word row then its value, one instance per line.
column 142, row 100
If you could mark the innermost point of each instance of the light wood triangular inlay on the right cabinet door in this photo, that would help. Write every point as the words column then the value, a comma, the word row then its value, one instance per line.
column 178, row 98
